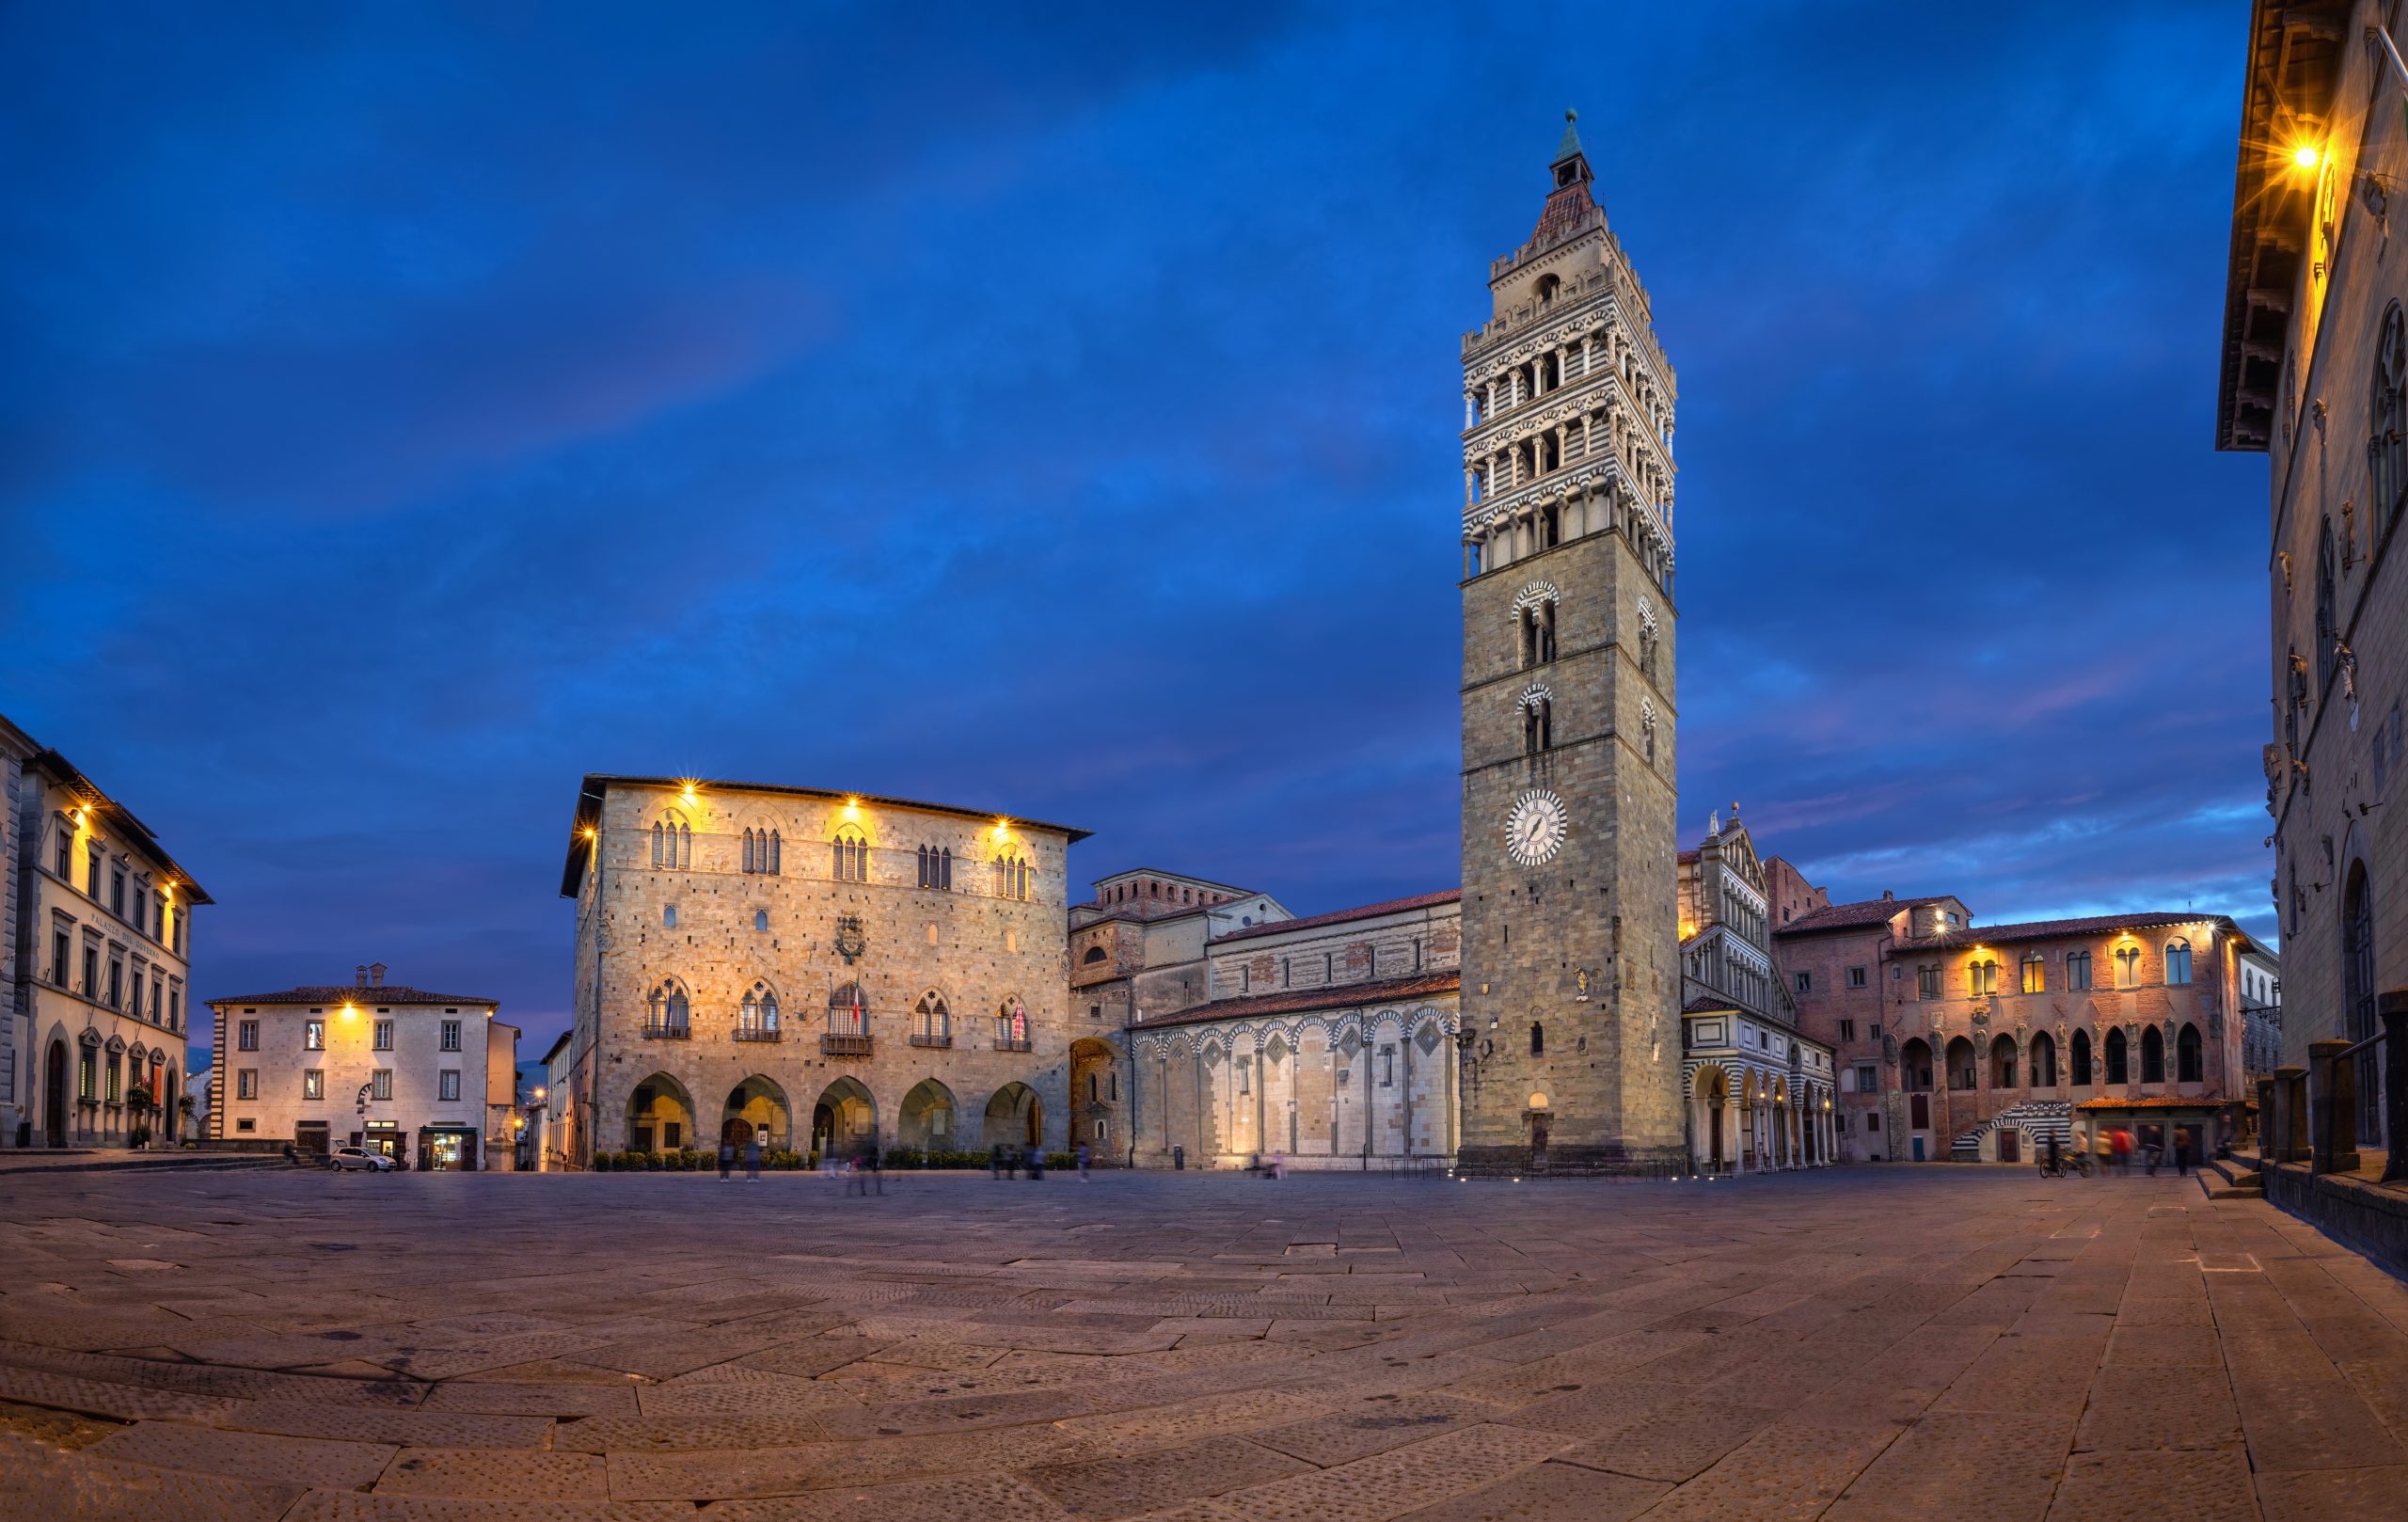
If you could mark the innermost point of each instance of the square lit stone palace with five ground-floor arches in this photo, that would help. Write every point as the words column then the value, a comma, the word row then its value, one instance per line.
column 815, row 967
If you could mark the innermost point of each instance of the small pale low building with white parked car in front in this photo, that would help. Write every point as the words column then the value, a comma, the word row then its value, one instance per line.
column 365, row 1063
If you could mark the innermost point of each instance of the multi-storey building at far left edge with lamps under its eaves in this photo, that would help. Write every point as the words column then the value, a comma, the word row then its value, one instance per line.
column 100, row 940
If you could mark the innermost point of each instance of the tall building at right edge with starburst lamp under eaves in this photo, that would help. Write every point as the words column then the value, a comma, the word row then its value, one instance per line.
column 2315, row 374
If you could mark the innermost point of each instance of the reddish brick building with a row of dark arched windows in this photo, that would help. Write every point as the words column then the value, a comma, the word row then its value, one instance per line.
column 1981, row 1044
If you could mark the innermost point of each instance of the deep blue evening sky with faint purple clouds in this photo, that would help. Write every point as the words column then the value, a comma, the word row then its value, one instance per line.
column 408, row 411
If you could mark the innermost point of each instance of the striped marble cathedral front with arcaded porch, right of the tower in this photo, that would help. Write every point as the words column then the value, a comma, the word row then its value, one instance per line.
column 1759, row 1090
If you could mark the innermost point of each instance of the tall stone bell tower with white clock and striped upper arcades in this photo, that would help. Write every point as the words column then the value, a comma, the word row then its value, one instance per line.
column 1571, row 996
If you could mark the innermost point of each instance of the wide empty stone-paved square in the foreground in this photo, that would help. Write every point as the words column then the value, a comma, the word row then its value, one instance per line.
column 1875, row 1343
